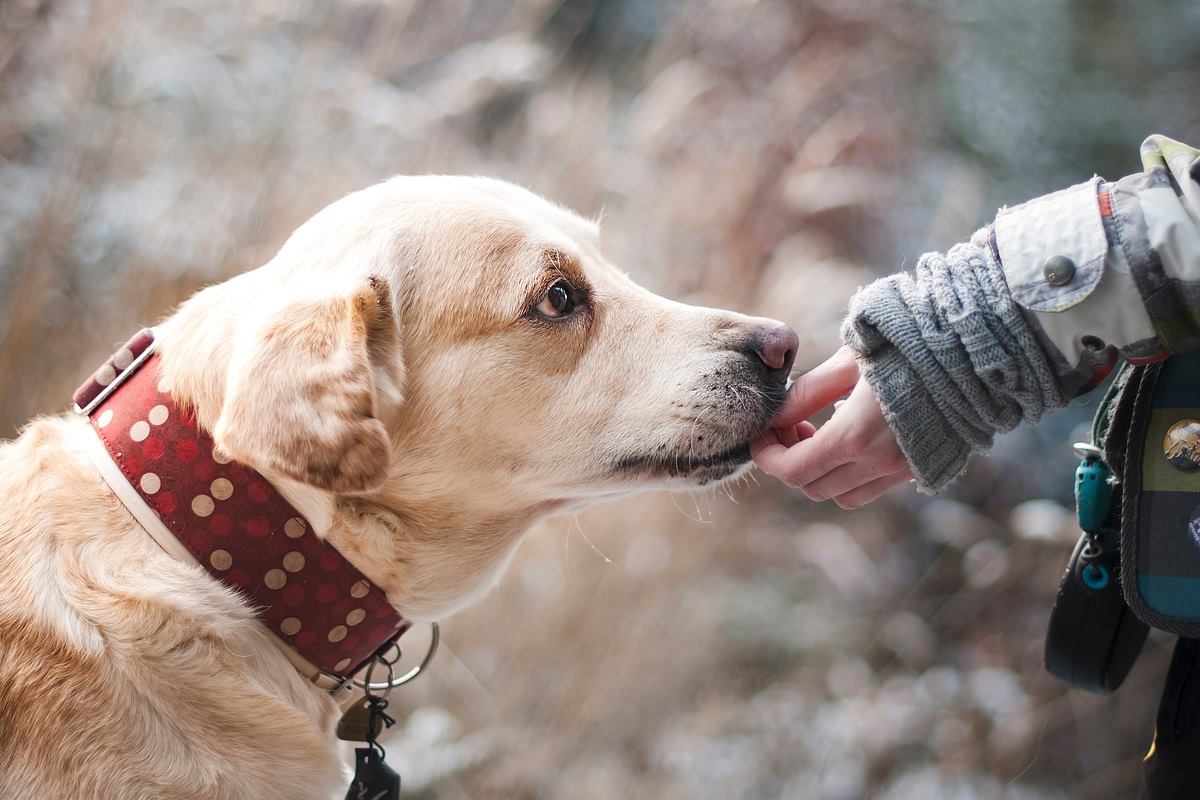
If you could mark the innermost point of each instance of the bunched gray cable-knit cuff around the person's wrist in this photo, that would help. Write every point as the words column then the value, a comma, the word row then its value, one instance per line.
column 950, row 358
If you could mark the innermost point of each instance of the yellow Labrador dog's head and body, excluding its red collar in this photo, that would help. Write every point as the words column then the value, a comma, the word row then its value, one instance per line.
column 425, row 369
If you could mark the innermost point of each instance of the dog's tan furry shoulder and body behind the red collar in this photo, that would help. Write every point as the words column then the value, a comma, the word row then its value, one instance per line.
column 109, row 647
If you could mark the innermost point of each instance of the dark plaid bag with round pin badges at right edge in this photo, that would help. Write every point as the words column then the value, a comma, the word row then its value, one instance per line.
column 1153, row 441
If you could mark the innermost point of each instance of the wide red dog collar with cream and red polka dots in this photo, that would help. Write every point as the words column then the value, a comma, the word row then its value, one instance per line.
column 232, row 521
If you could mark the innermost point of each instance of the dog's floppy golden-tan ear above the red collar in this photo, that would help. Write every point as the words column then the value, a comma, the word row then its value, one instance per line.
column 309, row 390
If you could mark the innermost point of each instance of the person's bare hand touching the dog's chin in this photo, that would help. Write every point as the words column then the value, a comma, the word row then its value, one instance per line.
column 853, row 459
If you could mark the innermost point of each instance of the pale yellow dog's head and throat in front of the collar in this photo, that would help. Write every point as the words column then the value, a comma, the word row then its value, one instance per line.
column 452, row 358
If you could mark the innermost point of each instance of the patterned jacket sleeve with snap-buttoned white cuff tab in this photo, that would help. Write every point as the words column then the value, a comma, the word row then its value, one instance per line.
column 1107, row 270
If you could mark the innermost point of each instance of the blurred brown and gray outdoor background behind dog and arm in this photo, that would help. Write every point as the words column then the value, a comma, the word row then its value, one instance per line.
column 767, row 157
